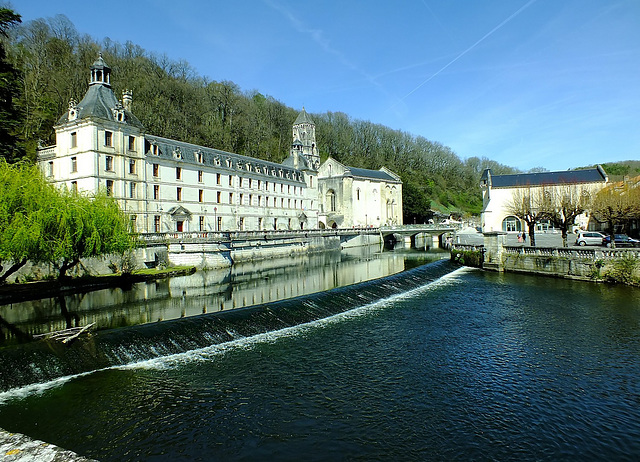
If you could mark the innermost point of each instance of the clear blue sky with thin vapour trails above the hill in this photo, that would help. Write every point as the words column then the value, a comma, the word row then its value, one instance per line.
column 528, row 83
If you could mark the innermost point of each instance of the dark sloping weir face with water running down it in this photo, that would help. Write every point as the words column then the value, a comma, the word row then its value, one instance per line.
column 46, row 361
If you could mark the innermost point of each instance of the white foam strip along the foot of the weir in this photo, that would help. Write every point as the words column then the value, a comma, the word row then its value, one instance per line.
column 217, row 350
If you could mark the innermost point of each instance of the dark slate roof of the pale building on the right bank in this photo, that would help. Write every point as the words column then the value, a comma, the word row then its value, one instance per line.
column 591, row 175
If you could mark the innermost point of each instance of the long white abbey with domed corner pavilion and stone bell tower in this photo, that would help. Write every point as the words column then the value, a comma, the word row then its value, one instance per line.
column 166, row 185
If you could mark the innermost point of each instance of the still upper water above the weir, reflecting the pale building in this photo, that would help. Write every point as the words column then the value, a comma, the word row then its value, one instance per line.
column 203, row 292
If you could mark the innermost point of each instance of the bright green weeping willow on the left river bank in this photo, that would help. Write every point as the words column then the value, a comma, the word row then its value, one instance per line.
column 42, row 224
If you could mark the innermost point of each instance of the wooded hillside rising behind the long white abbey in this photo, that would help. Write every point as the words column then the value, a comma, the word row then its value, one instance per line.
column 172, row 101
